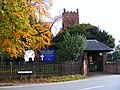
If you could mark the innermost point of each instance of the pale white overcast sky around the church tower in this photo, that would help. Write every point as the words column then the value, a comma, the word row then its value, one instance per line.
column 104, row 14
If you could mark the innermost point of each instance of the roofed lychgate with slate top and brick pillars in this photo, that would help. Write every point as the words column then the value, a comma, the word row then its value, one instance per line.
column 95, row 56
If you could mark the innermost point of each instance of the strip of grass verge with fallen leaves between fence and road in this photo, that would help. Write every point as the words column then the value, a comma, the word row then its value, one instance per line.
column 45, row 79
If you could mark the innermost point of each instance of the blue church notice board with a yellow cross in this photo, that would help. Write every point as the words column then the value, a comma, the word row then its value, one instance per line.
column 46, row 55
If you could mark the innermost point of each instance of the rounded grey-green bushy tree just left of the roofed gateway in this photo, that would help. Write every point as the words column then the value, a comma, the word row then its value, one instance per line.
column 71, row 48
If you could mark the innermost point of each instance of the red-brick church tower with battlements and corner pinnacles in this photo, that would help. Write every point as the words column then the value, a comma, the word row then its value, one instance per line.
column 69, row 18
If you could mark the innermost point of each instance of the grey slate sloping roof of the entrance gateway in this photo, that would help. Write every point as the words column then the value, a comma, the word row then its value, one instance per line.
column 94, row 45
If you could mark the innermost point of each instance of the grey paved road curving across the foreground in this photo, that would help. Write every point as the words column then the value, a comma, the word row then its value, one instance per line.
column 104, row 82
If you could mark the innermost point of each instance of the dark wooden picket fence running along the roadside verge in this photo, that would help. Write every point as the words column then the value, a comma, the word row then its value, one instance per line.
column 14, row 70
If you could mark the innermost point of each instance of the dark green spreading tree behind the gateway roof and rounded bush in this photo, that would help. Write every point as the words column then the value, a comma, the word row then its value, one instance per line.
column 90, row 31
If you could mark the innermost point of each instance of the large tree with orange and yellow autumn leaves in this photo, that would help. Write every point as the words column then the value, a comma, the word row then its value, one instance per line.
column 21, row 27
